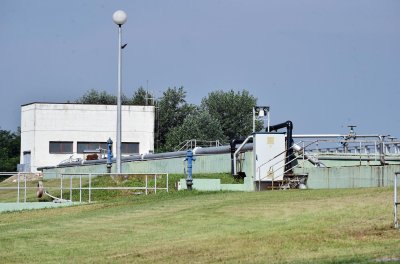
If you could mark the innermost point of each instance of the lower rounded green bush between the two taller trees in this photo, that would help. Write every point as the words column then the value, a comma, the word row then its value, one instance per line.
column 200, row 125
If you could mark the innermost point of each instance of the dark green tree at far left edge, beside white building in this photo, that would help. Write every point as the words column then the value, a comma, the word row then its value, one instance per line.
column 10, row 144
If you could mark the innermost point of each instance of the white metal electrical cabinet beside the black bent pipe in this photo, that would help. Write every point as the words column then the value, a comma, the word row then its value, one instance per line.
column 269, row 150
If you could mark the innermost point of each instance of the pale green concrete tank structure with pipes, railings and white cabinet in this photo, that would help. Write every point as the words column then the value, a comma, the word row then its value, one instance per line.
column 275, row 158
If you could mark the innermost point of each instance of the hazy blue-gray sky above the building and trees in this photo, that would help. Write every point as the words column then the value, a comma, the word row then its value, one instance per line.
column 322, row 64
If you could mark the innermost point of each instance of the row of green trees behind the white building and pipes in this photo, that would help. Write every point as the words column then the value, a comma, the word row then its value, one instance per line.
column 222, row 115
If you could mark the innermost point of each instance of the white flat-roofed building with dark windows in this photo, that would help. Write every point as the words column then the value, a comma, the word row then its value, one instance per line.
column 52, row 133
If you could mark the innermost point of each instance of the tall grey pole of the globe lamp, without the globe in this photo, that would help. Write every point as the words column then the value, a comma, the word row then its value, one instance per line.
column 118, row 146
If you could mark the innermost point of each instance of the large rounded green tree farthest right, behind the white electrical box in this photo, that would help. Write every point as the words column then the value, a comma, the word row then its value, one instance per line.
column 232, row 110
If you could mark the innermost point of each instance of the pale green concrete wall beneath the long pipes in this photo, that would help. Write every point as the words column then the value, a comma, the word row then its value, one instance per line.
column 318, row 178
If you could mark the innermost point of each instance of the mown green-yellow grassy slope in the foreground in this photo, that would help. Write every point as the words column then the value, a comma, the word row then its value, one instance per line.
column 321, row 226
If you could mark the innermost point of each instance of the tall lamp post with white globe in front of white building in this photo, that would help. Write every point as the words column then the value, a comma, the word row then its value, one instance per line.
column 119, row 18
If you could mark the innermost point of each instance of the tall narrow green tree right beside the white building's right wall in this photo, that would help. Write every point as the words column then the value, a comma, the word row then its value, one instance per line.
column 172, row 110
